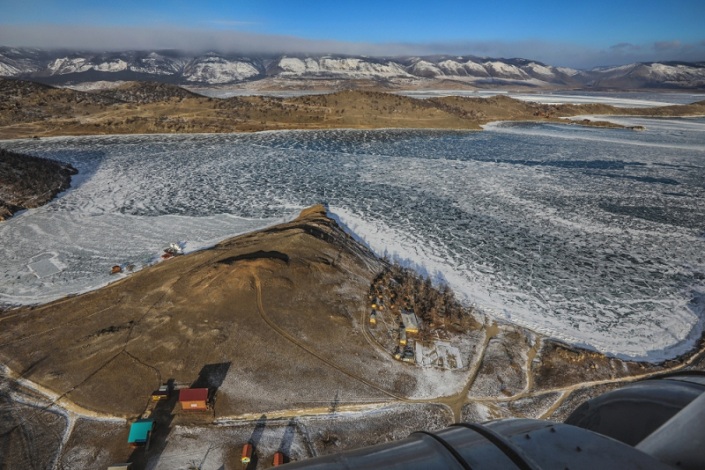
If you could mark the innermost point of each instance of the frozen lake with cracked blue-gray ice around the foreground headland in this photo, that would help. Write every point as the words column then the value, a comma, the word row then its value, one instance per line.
column 593, row 236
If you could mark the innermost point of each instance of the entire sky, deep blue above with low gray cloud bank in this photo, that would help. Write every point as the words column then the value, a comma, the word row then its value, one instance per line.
column 563, row 32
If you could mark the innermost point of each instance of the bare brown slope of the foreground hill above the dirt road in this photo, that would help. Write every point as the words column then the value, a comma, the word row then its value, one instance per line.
column 108, row 349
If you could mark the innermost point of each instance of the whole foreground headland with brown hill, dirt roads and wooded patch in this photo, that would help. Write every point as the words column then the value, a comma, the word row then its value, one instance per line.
column 278, row 325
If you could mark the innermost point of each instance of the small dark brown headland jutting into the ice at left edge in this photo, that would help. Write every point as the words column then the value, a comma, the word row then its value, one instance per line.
column 27, row 182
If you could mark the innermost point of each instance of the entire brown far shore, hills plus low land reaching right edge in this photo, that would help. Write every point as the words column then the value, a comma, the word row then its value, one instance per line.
column 29, row 109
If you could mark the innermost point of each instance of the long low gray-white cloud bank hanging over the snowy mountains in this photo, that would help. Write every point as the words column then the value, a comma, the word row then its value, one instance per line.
column 228, row 41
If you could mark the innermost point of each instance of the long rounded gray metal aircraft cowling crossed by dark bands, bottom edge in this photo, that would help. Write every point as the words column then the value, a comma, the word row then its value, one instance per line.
column 544, row 445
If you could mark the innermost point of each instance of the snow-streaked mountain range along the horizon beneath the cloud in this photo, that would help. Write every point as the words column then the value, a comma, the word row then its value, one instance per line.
column 70, row 67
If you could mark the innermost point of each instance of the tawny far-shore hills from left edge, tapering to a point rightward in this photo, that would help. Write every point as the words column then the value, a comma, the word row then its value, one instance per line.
column 150, row 108
